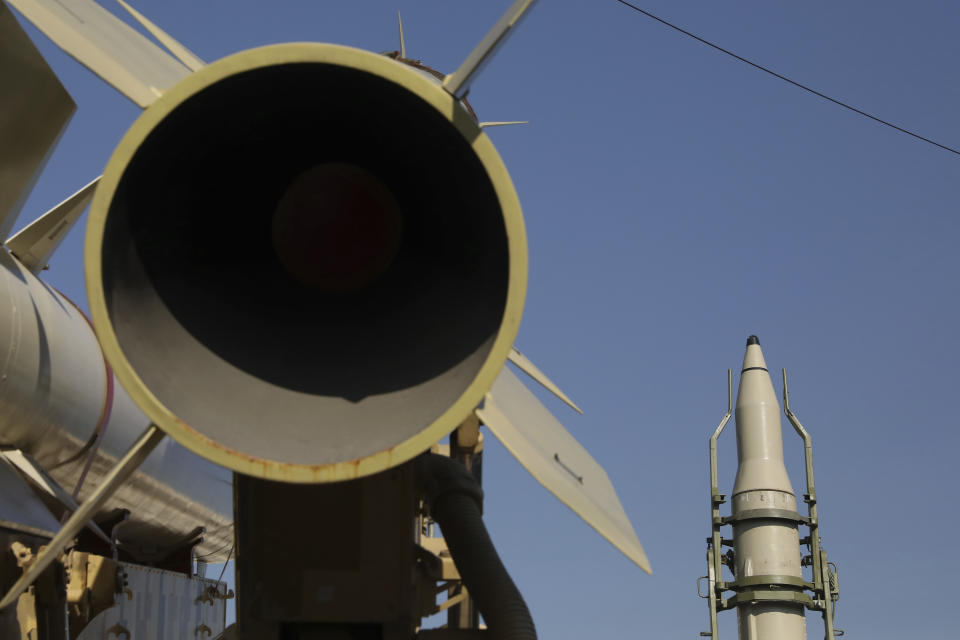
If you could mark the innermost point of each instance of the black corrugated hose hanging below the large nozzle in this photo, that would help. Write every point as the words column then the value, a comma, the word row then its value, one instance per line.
column 455, row 498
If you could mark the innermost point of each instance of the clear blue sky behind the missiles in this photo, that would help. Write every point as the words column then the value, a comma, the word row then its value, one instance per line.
column 676, row 202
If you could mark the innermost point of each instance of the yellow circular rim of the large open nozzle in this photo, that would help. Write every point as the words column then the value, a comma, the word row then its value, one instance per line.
column 246, row 461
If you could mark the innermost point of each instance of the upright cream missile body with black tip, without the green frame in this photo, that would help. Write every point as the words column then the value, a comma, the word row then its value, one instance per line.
column 763, row 546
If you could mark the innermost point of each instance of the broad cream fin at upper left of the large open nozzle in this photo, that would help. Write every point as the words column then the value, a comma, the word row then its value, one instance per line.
column 110, row 48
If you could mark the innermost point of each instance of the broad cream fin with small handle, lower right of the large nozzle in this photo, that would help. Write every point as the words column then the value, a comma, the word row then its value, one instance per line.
column 560, row 463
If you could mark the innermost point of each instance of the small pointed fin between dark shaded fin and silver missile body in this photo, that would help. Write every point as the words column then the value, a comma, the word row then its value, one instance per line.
column 36, row 242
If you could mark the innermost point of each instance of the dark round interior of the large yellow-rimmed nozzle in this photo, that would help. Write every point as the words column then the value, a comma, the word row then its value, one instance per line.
column 309, row 253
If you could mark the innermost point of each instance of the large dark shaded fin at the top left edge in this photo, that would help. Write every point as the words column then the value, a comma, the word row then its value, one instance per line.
column 34, row 112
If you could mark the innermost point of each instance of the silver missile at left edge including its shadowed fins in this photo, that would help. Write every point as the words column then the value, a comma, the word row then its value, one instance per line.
column 64, row 420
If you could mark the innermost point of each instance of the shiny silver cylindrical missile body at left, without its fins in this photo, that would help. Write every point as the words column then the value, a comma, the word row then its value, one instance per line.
column 56, row 393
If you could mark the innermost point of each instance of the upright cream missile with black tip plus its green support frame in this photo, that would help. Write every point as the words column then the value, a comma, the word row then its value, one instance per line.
column 770, row 592
